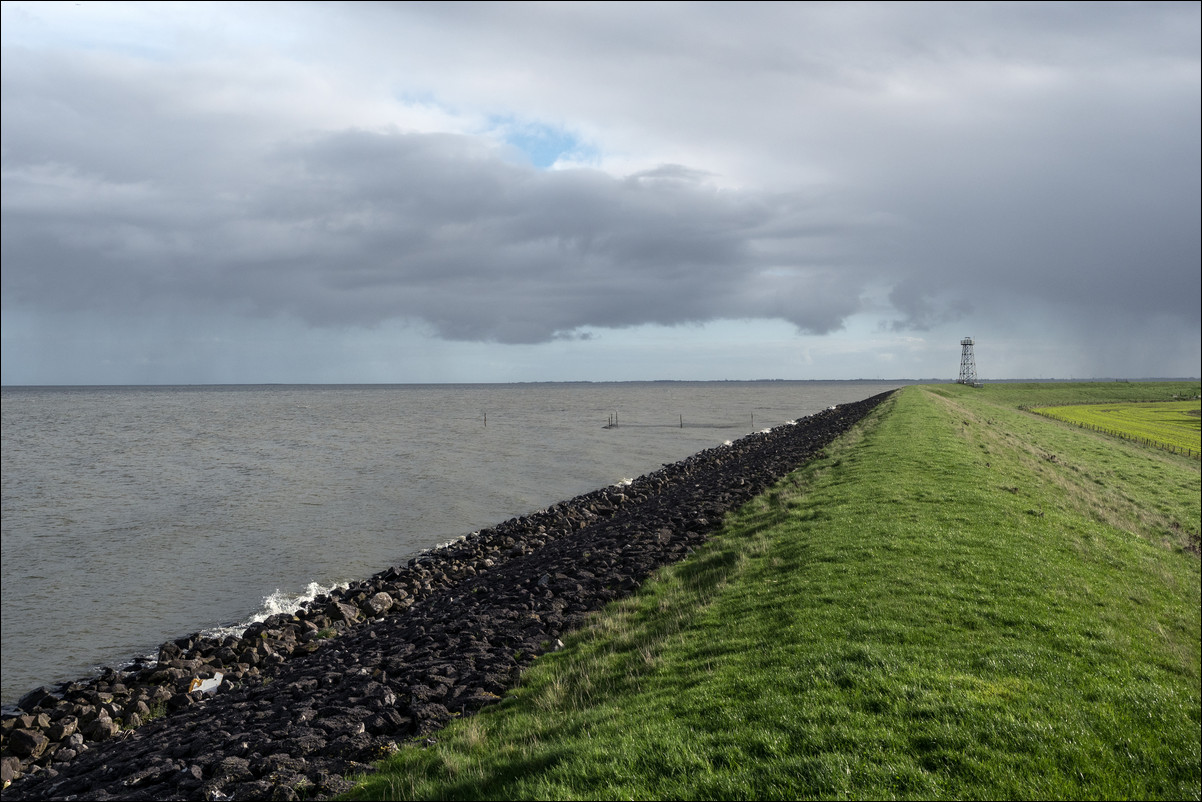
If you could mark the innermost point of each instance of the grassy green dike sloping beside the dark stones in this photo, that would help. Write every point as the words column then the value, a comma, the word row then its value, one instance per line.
column 962, row 601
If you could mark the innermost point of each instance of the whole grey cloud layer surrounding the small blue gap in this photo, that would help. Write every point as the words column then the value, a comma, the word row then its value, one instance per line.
column 950, row 162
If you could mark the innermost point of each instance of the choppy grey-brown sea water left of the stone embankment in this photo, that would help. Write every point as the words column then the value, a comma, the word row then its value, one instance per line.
column 135, row 515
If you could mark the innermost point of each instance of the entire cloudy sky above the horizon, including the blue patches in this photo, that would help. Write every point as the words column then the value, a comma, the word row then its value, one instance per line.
column 473, row 193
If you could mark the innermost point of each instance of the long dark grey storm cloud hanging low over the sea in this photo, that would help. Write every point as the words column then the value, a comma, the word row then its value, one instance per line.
column 358, row 228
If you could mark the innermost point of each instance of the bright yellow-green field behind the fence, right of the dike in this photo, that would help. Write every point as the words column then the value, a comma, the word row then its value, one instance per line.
column 1176, row 426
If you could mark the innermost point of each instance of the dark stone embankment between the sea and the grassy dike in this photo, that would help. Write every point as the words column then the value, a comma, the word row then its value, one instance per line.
column 311, row 697
